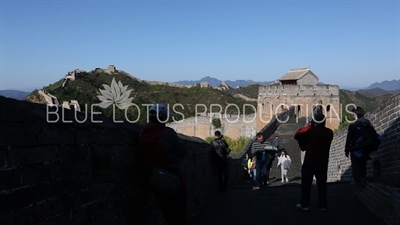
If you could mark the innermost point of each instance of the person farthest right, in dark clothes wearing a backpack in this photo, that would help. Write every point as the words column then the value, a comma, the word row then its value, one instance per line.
column 361, row 140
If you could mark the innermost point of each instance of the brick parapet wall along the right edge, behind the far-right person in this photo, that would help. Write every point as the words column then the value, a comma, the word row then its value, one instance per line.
column 383, row 170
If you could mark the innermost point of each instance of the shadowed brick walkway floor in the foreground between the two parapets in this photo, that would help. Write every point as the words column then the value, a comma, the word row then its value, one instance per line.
column 276, row 205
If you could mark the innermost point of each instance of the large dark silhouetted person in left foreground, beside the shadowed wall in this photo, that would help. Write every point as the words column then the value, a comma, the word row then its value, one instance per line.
column 162, row 148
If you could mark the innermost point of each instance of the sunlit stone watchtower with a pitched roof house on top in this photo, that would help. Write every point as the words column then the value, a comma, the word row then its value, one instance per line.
column 298, row 88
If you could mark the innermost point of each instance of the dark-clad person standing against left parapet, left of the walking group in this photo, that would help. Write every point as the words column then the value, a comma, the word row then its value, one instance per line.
column 221, row 152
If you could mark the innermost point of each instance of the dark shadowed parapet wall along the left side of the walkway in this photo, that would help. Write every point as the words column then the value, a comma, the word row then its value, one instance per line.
column 83, row 173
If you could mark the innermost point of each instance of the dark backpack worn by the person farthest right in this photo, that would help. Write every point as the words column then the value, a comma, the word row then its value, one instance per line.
column 367, row 138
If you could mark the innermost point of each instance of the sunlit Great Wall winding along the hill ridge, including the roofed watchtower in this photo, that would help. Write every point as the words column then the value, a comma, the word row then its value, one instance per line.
column 298, row 87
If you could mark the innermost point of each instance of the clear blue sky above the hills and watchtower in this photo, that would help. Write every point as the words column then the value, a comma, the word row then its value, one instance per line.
column 349, row 43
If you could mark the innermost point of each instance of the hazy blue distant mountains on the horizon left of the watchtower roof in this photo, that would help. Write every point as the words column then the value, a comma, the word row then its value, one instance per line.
column 215, row 82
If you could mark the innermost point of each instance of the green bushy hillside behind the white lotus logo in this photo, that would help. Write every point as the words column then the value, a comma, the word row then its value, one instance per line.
column 86, row 89
